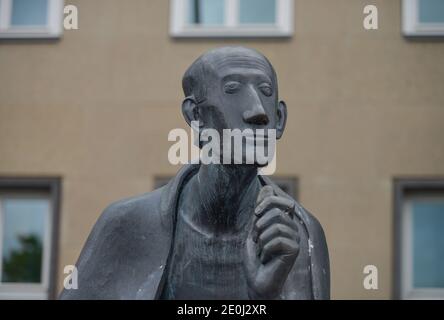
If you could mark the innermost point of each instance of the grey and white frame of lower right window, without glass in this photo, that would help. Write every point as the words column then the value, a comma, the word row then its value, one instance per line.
column 405, row 191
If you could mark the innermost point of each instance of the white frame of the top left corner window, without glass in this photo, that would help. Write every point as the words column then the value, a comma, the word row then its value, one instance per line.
column 53, row 28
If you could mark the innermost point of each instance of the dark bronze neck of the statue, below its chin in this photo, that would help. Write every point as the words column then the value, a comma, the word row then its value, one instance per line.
column 225, row 197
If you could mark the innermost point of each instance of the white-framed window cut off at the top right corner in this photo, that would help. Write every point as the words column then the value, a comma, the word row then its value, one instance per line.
column 423, row 17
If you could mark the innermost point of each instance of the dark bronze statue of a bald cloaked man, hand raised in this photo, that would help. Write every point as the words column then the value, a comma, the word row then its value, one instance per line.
column 216, row 231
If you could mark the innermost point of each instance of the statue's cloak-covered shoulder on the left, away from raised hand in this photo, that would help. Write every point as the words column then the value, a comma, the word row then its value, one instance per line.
column 127, row 236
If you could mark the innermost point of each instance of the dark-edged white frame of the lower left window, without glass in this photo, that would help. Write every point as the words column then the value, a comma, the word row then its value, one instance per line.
column 35, row 188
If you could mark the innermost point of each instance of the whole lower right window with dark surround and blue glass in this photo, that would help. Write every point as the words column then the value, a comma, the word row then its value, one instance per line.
column 419, row 221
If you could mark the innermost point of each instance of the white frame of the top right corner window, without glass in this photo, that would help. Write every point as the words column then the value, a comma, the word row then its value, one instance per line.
column 411, row 26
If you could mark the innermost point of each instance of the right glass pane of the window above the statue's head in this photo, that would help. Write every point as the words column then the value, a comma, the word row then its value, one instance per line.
column 257, row 11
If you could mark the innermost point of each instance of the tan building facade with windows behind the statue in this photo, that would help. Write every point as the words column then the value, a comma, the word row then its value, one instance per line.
column 85, row 117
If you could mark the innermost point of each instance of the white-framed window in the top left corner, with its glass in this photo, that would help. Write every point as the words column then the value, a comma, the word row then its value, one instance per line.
column 31, row 18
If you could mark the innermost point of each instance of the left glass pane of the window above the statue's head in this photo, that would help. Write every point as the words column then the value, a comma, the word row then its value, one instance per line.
column 209, row 12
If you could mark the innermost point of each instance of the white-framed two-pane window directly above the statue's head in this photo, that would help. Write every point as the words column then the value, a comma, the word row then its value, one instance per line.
column 231, row 18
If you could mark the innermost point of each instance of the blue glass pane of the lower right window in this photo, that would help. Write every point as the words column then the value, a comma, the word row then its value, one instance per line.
column 428, row 244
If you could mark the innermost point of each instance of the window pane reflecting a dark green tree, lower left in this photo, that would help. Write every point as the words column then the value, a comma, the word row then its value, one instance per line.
column 24, row 224
